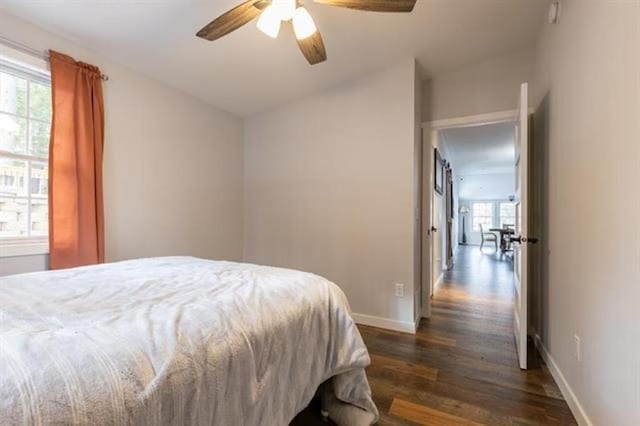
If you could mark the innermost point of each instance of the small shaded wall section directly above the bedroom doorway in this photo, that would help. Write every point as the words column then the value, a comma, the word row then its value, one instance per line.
column 488, row 86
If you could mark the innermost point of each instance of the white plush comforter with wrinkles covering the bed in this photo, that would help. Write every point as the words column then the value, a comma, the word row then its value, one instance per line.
column 176, row 340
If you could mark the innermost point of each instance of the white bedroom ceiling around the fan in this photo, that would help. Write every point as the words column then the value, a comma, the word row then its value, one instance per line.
column 246, row 71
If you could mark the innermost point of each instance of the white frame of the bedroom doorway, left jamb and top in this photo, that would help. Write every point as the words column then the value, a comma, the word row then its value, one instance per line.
column 428, row 193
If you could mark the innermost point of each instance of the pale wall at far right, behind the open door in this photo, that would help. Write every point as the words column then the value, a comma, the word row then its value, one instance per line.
column 587, row 95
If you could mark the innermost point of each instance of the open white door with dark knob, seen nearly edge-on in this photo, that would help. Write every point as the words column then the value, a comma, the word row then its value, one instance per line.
column 521, row 231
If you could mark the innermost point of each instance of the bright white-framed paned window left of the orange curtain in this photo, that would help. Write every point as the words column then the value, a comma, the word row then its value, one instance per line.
column 25, row 123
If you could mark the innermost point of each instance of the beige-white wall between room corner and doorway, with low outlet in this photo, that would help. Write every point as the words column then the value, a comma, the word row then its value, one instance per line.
column 329, row 188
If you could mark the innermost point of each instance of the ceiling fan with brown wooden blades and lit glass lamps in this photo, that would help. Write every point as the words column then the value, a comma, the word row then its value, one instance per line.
column 273, row 12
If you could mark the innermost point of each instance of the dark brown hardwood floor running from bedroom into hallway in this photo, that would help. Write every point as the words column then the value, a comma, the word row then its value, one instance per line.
column 461, row 366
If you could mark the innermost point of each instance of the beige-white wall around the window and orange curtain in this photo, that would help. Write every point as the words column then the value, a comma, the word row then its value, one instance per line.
column 172, row 165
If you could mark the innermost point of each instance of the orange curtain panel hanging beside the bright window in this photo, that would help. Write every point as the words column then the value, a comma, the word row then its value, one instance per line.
column 76, row 219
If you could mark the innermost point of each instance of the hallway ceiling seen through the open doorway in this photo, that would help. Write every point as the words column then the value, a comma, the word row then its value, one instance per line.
column 482, row 158
